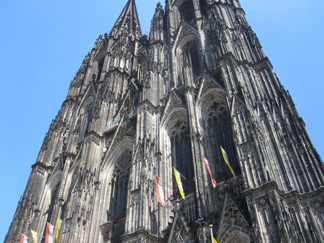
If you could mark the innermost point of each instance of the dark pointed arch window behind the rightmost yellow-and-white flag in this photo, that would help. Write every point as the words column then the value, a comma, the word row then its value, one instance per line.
column 221, row 134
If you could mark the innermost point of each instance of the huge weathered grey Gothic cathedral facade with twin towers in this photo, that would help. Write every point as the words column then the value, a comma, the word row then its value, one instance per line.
column 139, row 106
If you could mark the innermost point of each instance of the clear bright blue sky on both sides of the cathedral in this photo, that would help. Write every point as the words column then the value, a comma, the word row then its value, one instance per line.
column 43, row 43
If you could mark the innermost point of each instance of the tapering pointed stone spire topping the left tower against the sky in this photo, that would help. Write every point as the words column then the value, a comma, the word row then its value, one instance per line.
column 127, row 22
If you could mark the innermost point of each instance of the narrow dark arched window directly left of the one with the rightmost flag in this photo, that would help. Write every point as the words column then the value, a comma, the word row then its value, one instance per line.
column 181, row 156
